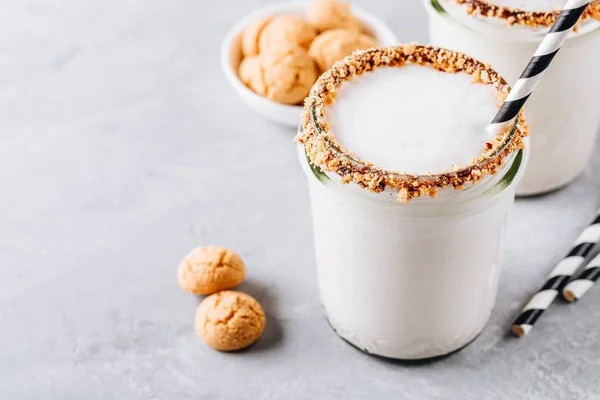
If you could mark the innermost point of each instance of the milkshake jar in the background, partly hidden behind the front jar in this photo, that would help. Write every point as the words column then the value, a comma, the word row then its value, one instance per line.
column 564, row 110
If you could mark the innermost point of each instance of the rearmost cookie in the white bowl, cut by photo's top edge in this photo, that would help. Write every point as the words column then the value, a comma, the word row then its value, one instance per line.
column 330, row 14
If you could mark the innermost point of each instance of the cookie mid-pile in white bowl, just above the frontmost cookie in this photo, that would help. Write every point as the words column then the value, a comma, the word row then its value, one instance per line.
column 283, row 31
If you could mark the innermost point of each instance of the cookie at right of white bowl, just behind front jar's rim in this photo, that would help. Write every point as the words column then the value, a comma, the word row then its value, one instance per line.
column 336, row 44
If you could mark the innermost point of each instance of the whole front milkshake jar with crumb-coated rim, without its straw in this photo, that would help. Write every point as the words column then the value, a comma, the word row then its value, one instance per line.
column 409, row 197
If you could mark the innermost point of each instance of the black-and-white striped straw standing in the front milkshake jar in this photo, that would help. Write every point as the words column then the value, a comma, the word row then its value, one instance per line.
column 538, row 64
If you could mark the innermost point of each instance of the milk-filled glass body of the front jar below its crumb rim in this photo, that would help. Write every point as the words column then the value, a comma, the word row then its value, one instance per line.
column 409, row 281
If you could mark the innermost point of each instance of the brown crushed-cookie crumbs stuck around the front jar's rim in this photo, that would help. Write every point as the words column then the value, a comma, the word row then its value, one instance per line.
column 352, row 169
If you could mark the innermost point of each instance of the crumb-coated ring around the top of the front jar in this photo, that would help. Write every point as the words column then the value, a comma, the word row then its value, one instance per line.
column 324, row 150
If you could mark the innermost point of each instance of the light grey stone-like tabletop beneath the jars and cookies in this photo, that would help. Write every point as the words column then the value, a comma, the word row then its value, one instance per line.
column 123, row 147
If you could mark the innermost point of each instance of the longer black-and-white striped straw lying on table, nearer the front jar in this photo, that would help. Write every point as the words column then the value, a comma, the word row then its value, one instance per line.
column 560, row 275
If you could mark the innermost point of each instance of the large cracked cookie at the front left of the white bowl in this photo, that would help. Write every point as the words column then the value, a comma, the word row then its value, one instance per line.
column 284, row 76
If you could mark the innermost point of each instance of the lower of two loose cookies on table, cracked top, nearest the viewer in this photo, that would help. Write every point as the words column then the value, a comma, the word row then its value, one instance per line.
column 229, row 320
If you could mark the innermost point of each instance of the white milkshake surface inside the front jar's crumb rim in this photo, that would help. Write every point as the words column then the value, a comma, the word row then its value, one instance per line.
column 374, row 103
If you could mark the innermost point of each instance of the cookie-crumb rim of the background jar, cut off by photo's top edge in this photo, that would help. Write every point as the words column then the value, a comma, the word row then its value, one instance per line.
column 516, row 16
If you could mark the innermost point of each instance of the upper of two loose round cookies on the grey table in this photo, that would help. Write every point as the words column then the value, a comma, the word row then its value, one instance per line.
column 209, row 269
